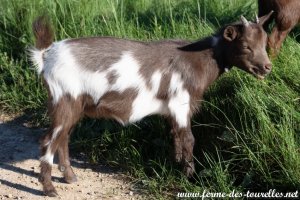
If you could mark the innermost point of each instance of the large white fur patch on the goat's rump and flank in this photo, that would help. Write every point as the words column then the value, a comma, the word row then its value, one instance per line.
column 64, row 75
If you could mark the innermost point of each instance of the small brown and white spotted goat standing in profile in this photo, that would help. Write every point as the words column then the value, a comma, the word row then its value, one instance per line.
column 104, row 77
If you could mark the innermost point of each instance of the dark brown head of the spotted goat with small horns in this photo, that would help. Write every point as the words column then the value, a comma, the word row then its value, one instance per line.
column 245, row 46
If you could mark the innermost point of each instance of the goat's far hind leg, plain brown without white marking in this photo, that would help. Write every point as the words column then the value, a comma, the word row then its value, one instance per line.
column 64, row 161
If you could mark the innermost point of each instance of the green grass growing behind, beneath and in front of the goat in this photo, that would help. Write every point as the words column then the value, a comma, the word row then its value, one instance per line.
column 247, row 134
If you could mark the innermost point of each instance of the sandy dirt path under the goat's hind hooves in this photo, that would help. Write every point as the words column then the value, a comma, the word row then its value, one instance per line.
column 19, row 168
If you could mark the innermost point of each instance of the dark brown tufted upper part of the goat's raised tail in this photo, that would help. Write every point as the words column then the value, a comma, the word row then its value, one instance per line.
column 43, row 32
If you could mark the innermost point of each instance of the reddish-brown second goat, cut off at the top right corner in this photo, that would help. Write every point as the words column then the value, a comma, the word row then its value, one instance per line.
column 286, row 15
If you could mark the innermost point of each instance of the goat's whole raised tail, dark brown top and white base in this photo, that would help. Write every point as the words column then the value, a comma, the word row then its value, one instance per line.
column 44, row 35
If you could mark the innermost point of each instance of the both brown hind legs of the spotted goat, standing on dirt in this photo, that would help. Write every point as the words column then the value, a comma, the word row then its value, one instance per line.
column 64, row 116
